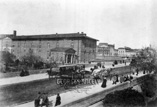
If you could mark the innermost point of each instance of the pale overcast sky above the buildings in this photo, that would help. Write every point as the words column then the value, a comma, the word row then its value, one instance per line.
column 129, row 23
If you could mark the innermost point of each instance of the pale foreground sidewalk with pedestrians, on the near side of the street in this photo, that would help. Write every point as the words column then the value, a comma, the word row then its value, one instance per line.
column 70, row 96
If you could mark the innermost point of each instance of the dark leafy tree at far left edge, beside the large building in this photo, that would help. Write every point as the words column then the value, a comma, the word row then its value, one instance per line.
column 7, row 58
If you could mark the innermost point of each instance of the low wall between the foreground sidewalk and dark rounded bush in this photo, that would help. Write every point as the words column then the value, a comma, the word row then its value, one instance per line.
column 89, row 100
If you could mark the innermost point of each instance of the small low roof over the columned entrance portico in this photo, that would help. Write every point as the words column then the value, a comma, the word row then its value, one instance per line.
column 63, row 49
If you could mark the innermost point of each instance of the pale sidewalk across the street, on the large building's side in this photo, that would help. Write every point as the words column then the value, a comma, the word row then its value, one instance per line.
column 14, row 80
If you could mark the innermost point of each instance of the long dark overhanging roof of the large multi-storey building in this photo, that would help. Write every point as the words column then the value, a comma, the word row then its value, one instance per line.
column 52, row 36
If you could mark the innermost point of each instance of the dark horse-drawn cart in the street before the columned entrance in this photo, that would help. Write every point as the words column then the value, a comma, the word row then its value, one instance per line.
column 68, row 74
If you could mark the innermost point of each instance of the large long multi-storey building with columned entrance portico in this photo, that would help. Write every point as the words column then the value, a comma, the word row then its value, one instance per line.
column 63, row 48
